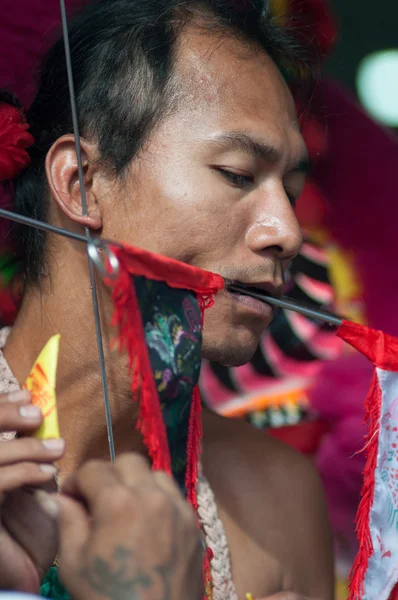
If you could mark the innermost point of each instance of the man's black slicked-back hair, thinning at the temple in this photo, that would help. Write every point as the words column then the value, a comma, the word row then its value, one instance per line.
column 123, row 54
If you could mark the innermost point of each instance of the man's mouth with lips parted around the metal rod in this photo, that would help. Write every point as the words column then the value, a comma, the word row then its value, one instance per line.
column 256, row 306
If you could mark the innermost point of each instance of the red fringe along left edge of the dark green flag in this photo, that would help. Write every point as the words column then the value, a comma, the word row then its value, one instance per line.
column 131, row 338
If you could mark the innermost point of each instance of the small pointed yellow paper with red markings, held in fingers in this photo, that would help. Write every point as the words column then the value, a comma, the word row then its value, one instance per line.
column 41, row 384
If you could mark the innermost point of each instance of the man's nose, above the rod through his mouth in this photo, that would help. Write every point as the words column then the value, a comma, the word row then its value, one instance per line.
column 274, row 227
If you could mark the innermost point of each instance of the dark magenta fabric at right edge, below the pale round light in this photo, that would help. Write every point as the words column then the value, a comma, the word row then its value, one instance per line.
column 358, row 175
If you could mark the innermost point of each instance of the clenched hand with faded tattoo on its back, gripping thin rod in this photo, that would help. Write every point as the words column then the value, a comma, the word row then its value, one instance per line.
column 126, row 532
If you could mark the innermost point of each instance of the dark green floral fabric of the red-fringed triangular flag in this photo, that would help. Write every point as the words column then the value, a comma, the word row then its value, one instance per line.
column 173, row 332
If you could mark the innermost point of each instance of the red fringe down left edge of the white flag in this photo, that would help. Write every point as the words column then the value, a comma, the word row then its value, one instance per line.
column 372, row 416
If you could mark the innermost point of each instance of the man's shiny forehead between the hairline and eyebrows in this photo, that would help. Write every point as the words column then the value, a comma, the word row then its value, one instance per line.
column 234, row 85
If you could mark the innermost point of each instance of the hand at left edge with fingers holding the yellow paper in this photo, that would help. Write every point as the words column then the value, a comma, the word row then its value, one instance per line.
column 28, row 538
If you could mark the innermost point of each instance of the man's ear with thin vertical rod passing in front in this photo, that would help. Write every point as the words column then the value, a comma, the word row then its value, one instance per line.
column 63, row 179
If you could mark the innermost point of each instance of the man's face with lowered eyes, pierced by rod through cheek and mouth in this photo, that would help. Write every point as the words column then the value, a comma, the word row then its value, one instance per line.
column 214, row 185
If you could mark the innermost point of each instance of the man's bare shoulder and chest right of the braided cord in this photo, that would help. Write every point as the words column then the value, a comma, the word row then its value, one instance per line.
column 276, row 496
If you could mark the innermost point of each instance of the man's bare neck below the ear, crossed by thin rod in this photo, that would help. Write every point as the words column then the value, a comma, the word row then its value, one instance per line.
column 54, row 309
